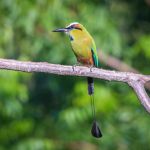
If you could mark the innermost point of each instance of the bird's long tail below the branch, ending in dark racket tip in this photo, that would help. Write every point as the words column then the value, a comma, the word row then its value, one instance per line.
column 96, row 132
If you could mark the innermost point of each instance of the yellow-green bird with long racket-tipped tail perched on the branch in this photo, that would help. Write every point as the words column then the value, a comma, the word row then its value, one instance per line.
column 84, row 48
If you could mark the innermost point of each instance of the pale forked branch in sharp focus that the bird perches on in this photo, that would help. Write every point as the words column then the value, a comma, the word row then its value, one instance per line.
column 136, row 81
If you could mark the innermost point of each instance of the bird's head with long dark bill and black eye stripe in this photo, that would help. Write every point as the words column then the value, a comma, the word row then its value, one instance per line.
column 72, row 27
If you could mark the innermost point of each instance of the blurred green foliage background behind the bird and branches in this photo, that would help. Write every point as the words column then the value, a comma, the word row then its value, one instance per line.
column 48, row 112
